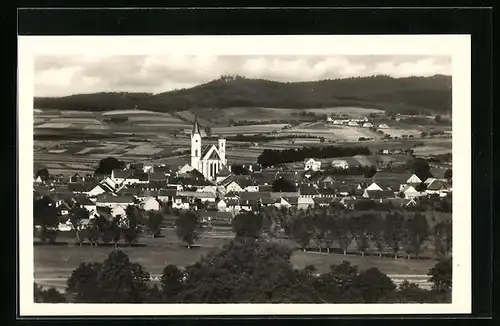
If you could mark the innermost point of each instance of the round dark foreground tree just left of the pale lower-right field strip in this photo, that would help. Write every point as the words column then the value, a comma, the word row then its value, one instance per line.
column 374, row 285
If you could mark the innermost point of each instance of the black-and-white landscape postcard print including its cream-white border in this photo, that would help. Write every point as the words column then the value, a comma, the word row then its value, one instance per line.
column 328, row 173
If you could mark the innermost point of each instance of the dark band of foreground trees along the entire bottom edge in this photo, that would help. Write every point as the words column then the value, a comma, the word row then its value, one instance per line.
column 242, row 271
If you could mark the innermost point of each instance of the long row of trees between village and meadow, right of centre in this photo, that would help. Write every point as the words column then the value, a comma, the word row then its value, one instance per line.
column 328, row 227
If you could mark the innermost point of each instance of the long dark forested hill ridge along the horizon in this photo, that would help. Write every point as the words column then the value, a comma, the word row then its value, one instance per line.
column 405, row 95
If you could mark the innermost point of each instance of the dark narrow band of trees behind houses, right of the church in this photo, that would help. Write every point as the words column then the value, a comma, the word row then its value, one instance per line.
column 271, row 157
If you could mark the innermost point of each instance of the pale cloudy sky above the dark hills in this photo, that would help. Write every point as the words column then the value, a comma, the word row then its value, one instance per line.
column 67, row 75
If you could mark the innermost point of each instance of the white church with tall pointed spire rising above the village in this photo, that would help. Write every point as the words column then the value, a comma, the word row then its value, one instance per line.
column 210, row 159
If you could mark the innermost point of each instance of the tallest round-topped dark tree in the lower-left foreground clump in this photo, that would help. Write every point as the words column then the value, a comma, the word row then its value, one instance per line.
column 121, row 281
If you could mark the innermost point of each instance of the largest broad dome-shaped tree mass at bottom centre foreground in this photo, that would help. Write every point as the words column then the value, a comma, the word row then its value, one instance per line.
column 246, row 271
